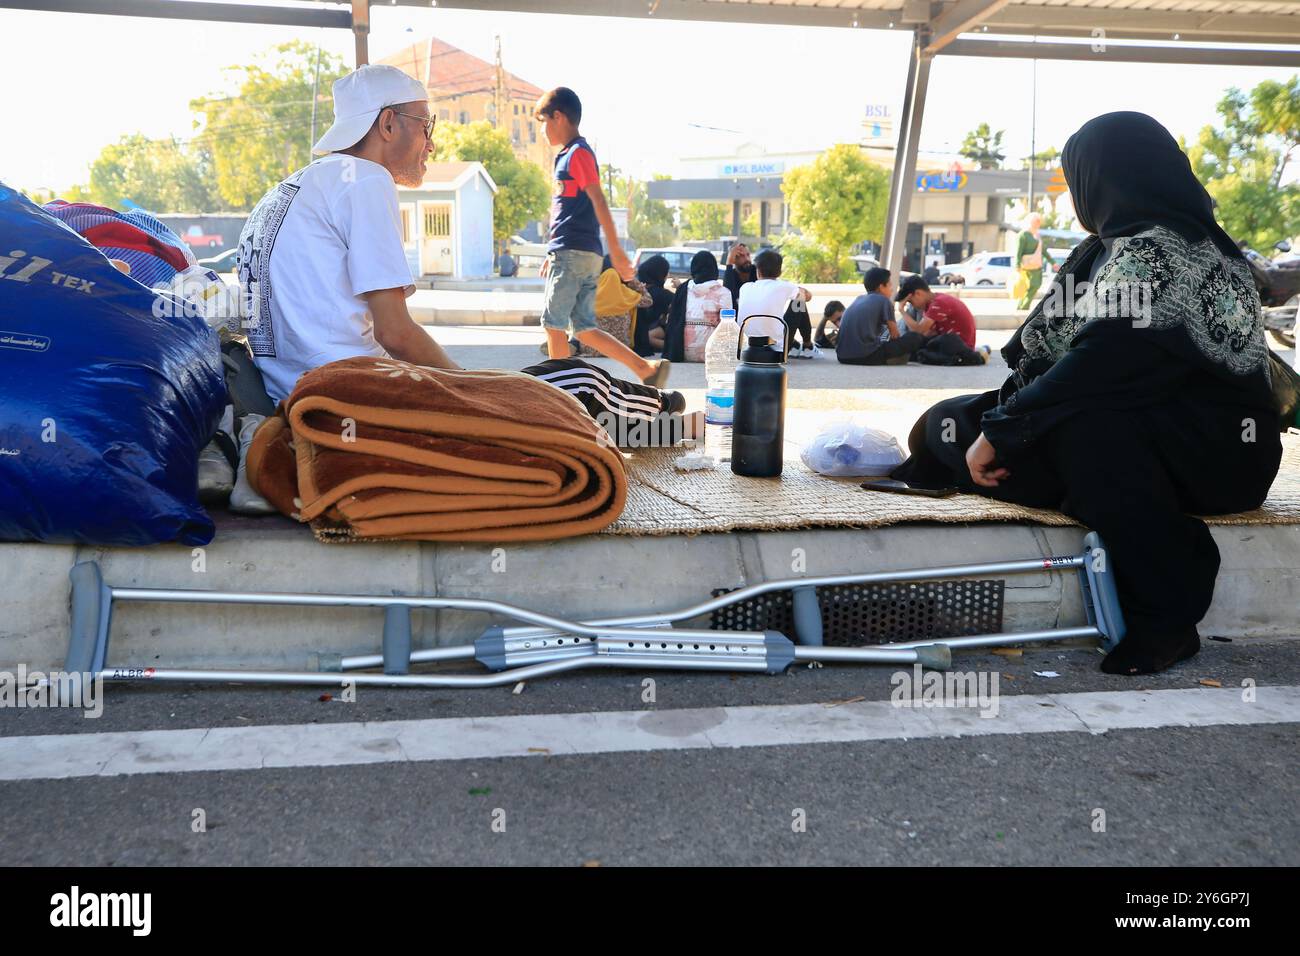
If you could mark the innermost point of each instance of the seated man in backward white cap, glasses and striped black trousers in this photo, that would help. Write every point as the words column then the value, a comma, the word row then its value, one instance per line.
column 322, row 266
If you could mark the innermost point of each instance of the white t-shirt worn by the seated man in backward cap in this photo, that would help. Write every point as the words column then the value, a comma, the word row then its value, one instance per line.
column 310, row 249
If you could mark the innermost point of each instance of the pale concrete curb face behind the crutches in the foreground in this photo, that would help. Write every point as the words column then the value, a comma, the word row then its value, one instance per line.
column 1258, row 592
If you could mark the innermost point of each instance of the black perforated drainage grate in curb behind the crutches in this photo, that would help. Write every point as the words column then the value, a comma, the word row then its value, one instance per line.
column 863, row 615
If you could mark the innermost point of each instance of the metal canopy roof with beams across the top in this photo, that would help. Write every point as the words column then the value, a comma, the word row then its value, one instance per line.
column 1181, row 27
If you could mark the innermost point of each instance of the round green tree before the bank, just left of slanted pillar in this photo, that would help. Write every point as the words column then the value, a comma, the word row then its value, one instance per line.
column 838, row 202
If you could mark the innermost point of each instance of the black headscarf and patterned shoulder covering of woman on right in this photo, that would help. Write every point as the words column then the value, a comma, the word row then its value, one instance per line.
column 1133, row 185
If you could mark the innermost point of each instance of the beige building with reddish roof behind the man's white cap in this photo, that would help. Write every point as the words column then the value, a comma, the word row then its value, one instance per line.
column 465, row 89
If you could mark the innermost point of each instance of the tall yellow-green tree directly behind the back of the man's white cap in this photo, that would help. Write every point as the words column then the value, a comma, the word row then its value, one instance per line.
column 257, row 137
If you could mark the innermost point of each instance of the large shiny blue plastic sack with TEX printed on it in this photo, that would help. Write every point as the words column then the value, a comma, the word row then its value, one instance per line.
column 109, row 392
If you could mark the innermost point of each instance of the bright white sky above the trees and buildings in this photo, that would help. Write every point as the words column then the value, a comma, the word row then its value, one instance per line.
column 76, row 83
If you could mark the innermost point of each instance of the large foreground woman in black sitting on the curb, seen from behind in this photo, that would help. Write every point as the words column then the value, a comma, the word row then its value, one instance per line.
column 1141, row 390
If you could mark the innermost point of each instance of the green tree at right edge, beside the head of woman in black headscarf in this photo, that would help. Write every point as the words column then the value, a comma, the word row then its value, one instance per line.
column 1245, row 161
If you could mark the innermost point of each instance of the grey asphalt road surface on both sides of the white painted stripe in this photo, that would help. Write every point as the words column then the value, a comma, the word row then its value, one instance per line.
column 1210, row 795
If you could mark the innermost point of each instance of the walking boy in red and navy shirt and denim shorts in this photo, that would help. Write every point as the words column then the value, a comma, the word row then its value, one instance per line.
column 573, row 269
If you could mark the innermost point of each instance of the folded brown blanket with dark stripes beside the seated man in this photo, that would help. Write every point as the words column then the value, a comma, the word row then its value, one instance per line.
column 378, row 449
